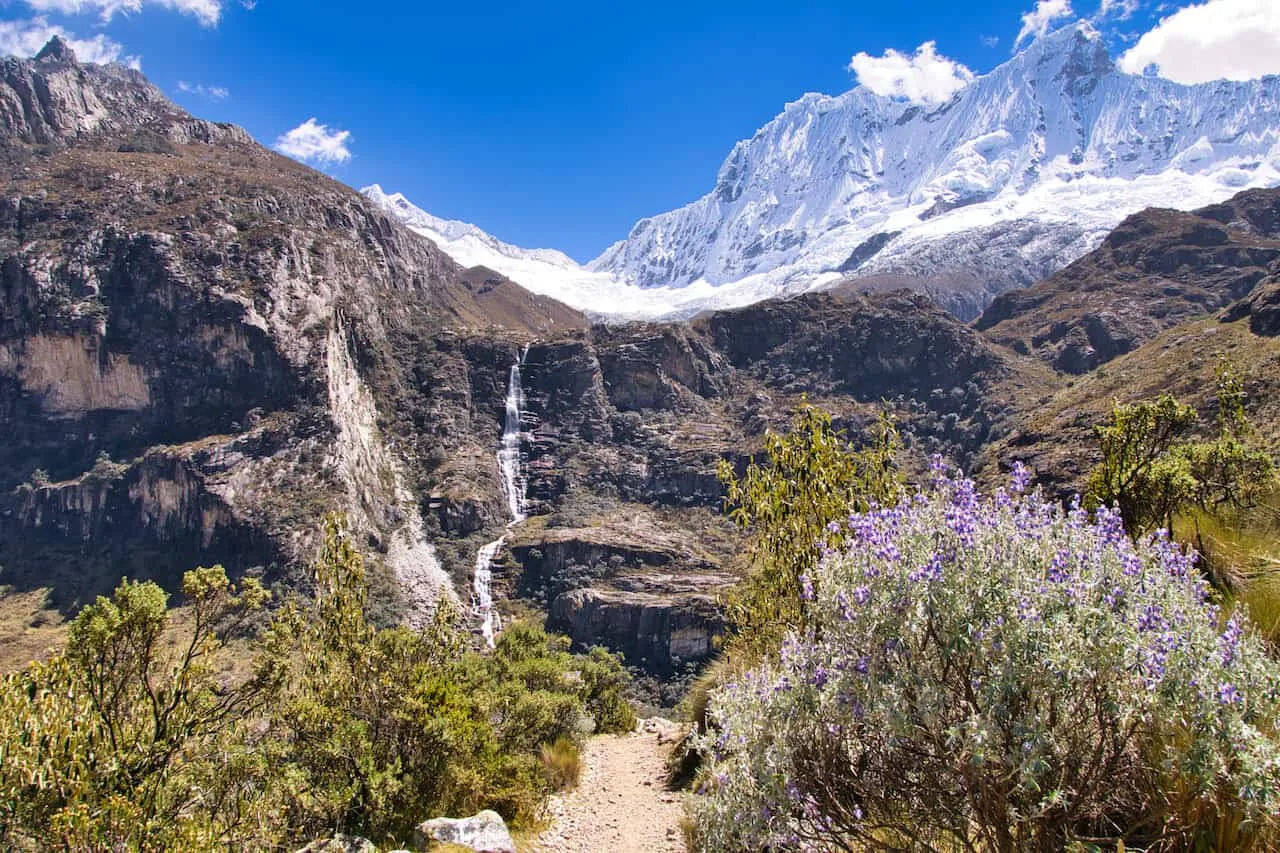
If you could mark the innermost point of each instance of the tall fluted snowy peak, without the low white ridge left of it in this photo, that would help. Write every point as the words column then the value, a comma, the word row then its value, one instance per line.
column 831, row 172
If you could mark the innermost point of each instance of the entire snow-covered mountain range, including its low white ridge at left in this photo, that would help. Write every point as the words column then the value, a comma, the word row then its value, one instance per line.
column 1022, row 172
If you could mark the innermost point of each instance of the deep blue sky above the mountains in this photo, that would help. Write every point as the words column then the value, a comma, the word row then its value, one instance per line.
column 561, row 125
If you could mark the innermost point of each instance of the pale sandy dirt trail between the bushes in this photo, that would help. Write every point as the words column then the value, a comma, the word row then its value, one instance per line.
column 621, row 804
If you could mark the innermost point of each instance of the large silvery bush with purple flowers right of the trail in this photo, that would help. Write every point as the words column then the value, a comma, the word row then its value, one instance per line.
column 998, row 674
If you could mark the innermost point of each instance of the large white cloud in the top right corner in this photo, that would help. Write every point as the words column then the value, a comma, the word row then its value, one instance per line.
column 1217, row 40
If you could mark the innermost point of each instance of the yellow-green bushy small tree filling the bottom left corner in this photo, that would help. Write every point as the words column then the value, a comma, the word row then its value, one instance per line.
column 109, row 745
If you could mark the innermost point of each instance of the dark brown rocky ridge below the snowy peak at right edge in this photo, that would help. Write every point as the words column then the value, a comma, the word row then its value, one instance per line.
column 1159, row 268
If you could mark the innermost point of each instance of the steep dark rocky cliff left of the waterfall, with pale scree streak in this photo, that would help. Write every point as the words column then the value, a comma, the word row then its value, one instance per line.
column 213, row 326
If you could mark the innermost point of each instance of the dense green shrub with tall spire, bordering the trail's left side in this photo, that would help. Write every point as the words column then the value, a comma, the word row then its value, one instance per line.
column 387, row 728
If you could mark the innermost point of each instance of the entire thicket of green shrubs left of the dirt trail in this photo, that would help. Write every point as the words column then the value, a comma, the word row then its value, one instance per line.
column 130, row 741
